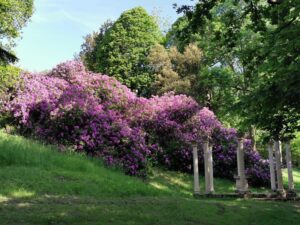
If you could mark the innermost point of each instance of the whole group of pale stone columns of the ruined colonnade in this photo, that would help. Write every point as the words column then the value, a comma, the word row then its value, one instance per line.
column 275, row 162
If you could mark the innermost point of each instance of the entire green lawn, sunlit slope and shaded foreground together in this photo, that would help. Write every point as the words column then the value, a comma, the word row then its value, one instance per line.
column 41, row 186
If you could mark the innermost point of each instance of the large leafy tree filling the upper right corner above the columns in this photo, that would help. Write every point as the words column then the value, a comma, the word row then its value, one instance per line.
column 260, row 43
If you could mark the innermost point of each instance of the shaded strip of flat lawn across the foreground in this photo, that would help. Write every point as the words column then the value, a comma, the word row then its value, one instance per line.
column 60, row 210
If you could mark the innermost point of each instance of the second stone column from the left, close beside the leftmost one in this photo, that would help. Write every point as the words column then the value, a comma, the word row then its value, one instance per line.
column 208, row 168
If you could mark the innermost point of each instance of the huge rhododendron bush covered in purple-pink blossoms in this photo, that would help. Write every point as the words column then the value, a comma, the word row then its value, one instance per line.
column 96, row 114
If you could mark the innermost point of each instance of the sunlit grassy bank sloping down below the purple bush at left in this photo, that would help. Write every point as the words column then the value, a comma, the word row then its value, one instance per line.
column 31, row 169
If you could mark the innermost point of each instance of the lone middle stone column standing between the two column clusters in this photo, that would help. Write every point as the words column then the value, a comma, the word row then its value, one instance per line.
column 243, row 184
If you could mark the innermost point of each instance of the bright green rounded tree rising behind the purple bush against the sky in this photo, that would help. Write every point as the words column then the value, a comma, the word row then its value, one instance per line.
column 123, row 51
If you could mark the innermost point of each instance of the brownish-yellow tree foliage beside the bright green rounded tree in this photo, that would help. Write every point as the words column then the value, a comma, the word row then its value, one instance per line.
column 174, row 71
